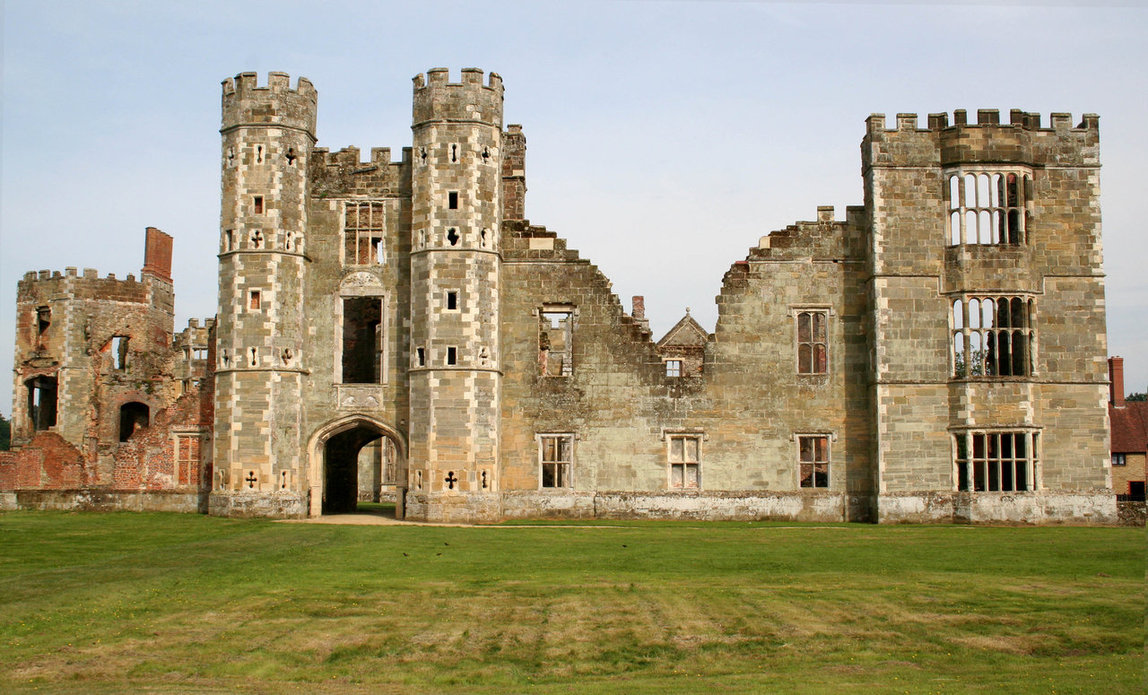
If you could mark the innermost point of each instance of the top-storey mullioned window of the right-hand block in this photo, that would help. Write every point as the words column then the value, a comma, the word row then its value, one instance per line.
column 988, row 207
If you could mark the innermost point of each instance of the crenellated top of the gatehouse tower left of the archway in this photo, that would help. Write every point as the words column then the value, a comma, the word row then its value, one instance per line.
column 245, row 103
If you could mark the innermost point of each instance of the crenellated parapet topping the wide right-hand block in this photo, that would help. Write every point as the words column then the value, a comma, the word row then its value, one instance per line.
column 1022, row 141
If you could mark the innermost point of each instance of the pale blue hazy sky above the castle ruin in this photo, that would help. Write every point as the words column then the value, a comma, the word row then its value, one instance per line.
column 664, row 138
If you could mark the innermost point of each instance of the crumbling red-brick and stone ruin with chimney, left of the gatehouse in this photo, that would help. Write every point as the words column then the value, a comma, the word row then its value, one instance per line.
column 130, row 395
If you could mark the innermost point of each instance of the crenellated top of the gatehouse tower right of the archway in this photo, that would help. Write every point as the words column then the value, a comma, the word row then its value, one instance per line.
column 437, row 99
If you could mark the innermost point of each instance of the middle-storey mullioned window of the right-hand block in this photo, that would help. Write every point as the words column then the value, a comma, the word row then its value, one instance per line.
column 992, row 337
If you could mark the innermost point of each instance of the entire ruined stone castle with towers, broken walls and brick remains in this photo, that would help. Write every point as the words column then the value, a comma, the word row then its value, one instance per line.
column 400, row 330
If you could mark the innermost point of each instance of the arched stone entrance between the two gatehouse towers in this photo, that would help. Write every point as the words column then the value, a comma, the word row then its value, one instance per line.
column 352, row 460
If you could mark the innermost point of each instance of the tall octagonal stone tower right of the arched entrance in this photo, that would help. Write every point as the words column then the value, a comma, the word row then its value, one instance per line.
column 455, row 380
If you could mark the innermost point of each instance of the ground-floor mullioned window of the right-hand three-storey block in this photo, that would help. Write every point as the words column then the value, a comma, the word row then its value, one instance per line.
column 999, row 462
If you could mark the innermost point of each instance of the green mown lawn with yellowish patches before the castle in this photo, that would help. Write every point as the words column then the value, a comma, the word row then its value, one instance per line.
column 170, row 604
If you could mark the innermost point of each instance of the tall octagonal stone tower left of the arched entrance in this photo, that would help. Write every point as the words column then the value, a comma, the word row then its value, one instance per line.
column 268, row 135
